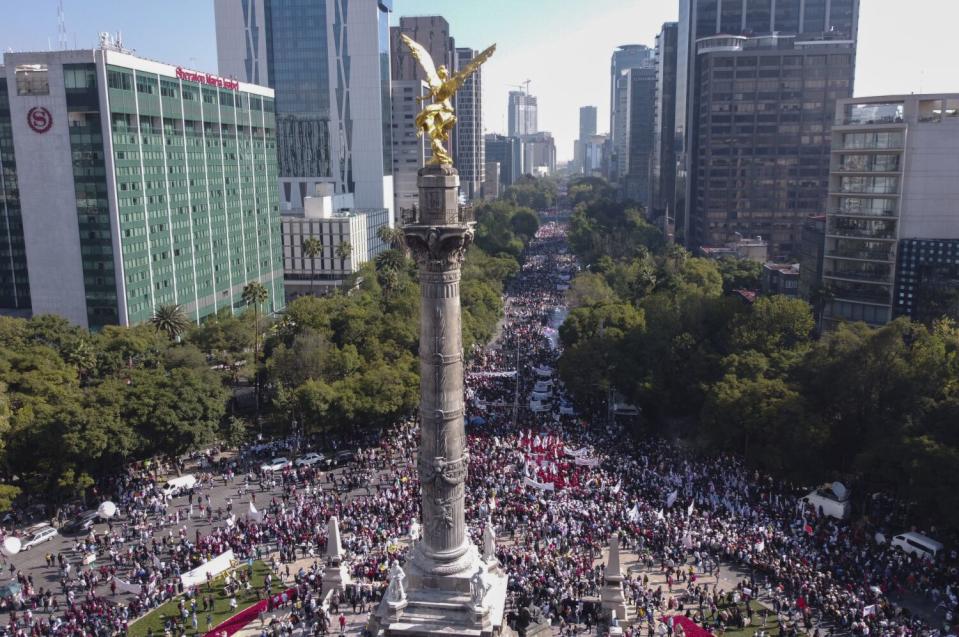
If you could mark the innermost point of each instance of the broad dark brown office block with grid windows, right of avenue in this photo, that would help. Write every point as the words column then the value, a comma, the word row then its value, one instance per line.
column 761, row 139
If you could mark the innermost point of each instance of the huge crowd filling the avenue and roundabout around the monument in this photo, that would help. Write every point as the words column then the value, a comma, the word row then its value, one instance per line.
column 705, row 538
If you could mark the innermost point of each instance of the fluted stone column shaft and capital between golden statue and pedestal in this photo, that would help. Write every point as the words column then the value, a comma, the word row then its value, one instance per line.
column 438, row 240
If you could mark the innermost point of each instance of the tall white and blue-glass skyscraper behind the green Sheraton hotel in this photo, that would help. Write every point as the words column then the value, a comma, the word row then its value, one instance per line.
column 329, row 64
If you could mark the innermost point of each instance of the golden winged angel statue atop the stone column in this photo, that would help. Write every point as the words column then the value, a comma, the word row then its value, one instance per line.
column 438, row 118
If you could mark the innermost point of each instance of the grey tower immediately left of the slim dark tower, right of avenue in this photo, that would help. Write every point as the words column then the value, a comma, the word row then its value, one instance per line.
column 640, row 124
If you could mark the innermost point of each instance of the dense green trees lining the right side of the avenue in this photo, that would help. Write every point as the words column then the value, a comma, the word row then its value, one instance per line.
column 876, row 407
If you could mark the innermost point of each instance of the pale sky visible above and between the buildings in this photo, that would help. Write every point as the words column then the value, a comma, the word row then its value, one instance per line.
column 563, row 46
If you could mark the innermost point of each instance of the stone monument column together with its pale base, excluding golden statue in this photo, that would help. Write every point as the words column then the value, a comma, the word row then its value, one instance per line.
column 448, row 588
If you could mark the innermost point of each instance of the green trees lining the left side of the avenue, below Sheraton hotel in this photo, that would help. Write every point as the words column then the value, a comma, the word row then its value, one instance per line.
column 75, row 406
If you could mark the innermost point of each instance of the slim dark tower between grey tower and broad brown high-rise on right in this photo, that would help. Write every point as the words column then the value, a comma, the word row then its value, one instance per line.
column 662, row 172
